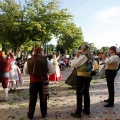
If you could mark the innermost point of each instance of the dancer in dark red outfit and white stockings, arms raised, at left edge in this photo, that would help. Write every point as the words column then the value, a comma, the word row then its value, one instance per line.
column 5, row 66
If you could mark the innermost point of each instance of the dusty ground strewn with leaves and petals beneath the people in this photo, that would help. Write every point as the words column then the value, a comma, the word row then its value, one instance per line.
column 62, row 102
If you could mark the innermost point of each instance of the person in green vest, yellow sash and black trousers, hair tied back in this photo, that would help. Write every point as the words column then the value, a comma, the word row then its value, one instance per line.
column 83, row 66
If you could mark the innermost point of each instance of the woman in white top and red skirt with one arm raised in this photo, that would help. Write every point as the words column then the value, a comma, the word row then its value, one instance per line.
column 57, row 75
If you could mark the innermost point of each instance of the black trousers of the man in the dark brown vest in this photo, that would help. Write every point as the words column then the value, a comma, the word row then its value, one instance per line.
column 35, row 88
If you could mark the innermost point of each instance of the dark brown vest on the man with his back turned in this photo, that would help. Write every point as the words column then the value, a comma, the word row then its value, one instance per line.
column 37, row 66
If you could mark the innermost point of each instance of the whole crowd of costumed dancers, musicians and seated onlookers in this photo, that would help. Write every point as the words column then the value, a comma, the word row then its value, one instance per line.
column 43, row 69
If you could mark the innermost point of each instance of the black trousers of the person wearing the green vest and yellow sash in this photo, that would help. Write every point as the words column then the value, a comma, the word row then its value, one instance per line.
column 82, row 88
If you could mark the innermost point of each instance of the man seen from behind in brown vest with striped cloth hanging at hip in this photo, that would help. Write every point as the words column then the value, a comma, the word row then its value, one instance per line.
column 38, row 68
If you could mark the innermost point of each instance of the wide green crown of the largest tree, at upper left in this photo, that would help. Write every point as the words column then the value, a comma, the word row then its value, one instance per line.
column 37, row 20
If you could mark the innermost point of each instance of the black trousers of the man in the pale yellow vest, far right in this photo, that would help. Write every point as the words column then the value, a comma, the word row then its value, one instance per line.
column 110, row 77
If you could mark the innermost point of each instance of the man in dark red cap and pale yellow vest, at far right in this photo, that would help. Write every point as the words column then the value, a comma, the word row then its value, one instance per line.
column 112, row 63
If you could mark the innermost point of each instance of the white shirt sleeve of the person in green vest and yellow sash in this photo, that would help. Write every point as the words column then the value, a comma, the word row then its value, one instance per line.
column 79, row 61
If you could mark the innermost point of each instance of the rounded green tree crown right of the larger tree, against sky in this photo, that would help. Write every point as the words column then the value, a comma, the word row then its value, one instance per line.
column 71, row 38
